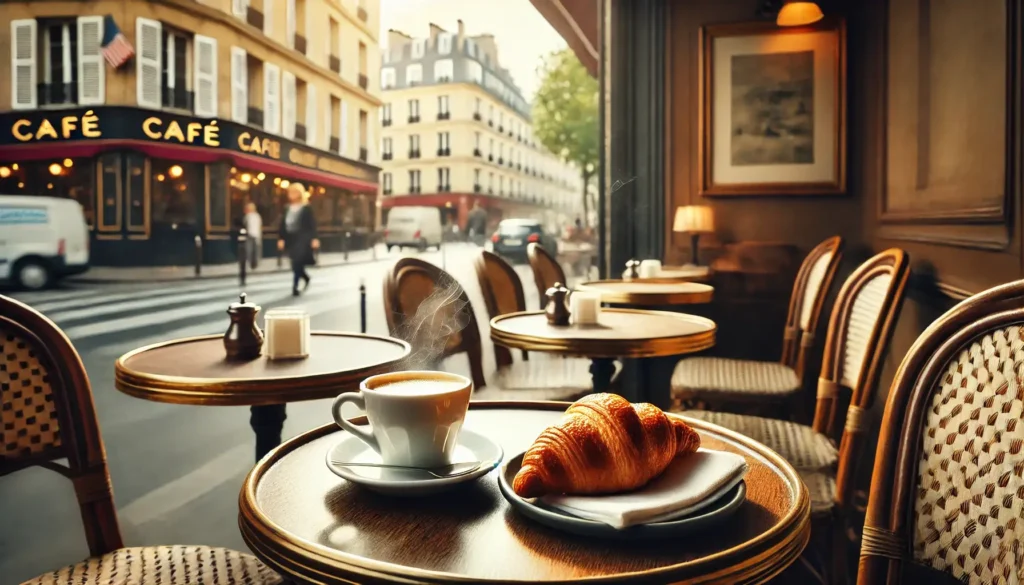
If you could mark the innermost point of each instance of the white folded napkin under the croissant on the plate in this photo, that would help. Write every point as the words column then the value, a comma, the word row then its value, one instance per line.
column 690, row 484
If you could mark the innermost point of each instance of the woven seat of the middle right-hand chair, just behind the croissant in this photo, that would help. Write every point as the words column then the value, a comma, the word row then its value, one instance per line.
column 804, row 449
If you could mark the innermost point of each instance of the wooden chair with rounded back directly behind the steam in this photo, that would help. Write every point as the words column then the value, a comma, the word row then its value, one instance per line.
column 425, row 307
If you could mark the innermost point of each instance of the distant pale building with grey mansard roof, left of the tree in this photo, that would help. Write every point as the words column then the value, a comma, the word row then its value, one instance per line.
column 456, row 133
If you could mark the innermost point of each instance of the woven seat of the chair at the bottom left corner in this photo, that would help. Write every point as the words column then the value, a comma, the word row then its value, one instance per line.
column 164, row 566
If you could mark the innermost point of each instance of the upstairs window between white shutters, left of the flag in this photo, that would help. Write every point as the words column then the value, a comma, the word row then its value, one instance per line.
column 59, row 44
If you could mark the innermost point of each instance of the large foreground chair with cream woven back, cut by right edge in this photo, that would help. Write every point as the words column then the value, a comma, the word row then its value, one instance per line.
column 947, row 503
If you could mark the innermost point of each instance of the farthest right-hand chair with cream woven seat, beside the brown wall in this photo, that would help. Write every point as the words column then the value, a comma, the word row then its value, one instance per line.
column 766, row 388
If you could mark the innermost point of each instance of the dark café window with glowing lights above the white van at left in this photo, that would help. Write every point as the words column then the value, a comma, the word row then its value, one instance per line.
column 73, row 179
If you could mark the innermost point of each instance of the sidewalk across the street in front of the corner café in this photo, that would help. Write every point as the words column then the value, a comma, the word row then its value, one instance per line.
column 100, row 275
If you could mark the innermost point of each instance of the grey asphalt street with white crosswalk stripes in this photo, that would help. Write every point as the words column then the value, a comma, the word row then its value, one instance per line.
column 177, row 471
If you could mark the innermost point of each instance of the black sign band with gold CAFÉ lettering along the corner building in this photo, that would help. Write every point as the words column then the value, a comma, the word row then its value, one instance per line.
column 148, row 126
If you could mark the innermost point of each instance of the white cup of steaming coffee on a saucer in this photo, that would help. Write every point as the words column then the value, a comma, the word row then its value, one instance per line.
column 415, row 417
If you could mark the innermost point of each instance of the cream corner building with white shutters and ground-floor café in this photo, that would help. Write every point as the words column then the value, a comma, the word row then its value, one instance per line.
column 200, row 107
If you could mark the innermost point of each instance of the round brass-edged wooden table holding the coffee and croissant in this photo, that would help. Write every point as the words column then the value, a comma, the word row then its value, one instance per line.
column 312, row 526
